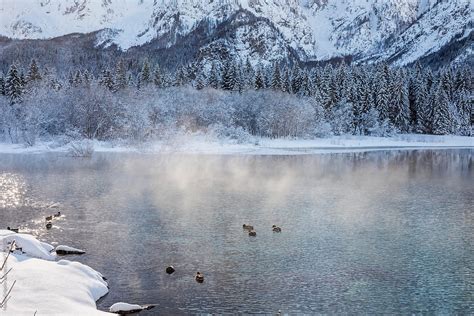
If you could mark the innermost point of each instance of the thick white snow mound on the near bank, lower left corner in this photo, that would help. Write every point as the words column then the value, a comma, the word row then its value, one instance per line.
column 46, row 287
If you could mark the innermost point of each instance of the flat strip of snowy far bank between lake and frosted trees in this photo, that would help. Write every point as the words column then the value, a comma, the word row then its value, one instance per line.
column 202, row 144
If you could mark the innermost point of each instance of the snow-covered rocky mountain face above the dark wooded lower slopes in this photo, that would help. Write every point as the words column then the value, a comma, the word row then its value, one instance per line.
column 401, row 31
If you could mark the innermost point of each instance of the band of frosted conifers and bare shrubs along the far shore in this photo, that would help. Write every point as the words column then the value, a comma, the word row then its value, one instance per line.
column 233, row 99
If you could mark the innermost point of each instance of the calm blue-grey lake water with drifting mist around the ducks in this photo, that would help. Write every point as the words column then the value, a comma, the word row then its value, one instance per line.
column 363, row 233
